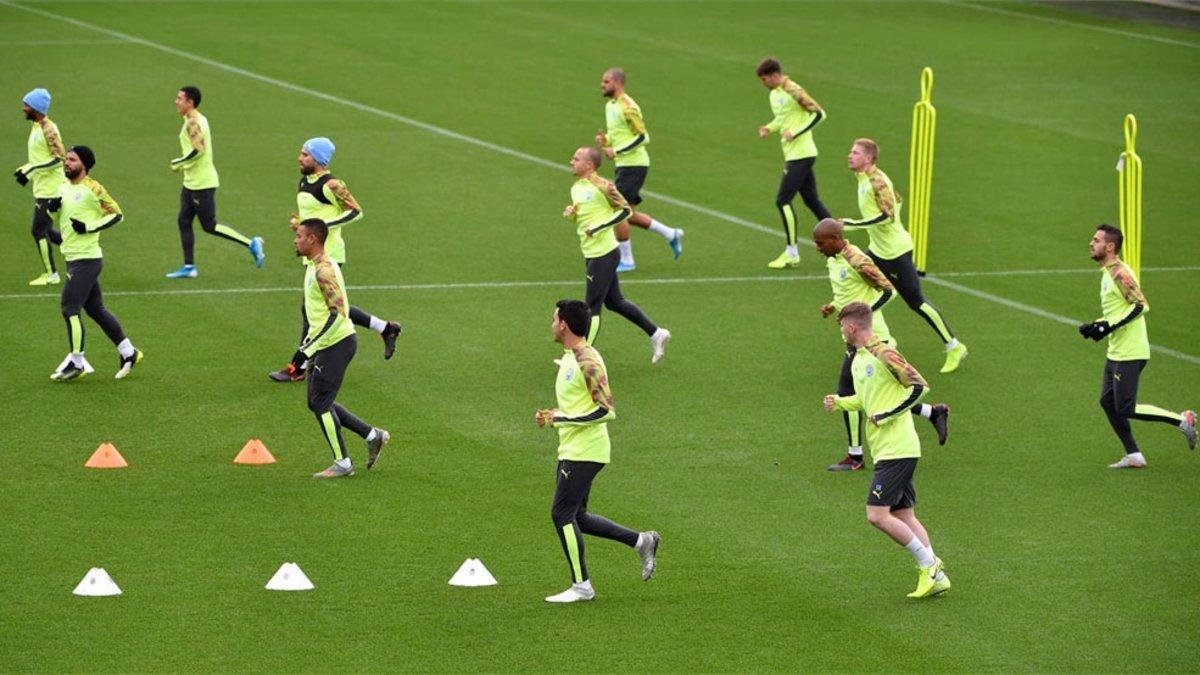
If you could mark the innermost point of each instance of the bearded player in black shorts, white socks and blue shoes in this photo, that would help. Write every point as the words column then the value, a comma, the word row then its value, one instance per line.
column 625, row 142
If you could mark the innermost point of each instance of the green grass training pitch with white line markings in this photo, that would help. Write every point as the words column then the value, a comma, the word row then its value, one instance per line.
column 453, row 121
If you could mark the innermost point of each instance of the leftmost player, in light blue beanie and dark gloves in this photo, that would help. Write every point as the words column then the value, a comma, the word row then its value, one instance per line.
column 46, row 153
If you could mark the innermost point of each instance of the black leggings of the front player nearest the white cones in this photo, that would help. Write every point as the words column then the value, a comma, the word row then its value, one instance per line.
column 572, row 519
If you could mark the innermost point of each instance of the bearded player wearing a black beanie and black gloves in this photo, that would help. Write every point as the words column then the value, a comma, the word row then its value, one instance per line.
column 87, row 210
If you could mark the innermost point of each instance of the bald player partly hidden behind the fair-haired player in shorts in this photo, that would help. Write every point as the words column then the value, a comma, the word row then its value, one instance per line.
column 855, row 277
